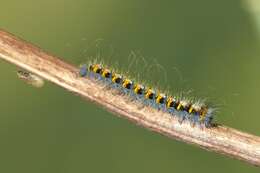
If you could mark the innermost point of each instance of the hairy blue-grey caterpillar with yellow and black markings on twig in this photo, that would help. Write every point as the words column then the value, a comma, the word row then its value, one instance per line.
column 185, row 110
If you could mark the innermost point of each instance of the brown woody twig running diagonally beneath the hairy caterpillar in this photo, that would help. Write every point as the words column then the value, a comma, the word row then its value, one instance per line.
column 220, row 139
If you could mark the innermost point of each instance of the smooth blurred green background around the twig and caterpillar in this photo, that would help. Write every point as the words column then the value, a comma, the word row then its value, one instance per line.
column 210, row 47
